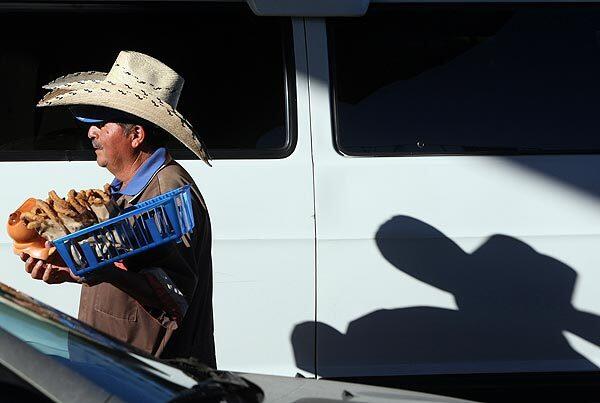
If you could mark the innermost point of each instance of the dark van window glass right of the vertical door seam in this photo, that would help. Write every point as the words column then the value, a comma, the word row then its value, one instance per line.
column 423, row 80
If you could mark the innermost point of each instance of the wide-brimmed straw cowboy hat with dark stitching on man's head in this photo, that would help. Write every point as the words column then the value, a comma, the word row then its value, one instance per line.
column 136, row 84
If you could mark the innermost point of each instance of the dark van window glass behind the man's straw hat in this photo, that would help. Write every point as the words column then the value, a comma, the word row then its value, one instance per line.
column 235, row 67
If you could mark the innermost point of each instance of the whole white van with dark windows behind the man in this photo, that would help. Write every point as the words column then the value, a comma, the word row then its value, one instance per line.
column 398, row 189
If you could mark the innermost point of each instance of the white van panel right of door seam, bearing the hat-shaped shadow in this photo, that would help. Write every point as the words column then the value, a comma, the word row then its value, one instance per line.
column 451, row 264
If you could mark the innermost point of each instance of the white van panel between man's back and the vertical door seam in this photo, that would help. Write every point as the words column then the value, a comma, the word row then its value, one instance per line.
column 263, row 226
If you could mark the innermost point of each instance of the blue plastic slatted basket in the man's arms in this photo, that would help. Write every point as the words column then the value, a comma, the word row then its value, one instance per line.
column 146, row 225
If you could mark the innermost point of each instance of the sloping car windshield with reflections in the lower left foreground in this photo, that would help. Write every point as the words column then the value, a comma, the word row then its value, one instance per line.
column 128, row 374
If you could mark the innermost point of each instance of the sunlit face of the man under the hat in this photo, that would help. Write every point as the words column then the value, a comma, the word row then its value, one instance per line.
column 112, row 146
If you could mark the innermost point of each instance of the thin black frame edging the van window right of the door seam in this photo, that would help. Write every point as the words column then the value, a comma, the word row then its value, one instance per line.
column 381, row 9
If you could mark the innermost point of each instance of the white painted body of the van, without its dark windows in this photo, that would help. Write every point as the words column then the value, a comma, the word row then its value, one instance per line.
column 378, row 266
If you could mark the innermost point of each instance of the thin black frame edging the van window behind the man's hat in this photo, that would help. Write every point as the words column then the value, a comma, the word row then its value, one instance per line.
column 289, row 78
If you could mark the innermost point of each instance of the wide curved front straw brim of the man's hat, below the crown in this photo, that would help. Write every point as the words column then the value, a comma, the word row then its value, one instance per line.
column 138, row 103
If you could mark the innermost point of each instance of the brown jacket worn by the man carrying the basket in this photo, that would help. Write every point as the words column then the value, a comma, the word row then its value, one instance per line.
column 184, row 327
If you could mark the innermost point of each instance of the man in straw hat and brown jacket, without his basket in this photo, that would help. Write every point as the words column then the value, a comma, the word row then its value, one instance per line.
column 161, row 300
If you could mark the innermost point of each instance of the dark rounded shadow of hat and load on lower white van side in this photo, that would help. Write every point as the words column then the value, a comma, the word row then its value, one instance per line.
column 513, row 306
